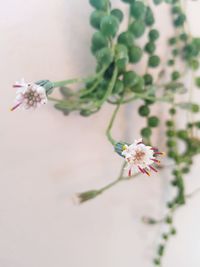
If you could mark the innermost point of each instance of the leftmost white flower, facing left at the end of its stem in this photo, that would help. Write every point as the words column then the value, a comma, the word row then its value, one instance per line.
column 29, row 95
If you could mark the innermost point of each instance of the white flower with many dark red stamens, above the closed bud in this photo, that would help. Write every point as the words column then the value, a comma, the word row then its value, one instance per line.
column 140, row 157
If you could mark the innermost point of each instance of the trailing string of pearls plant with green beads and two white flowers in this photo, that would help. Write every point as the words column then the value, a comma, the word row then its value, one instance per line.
column 118, row 82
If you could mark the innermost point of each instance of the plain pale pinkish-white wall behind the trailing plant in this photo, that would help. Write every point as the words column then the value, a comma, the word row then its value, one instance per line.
column 45, row 157
